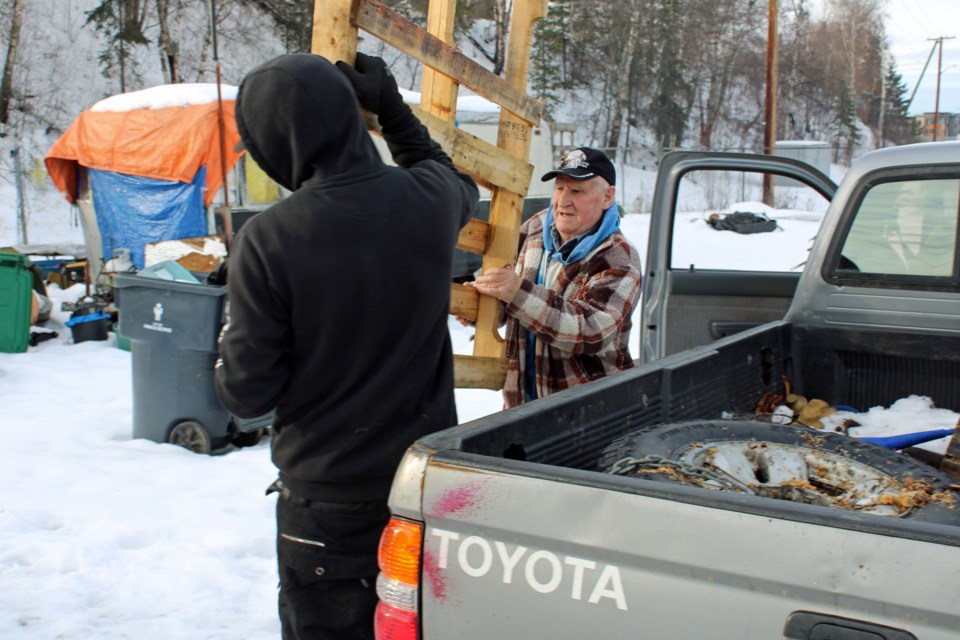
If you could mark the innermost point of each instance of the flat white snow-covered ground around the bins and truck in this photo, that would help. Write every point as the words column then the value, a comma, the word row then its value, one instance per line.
column 106, row 537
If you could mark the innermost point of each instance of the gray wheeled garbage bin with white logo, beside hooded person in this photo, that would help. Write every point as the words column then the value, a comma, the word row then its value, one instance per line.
column 173, row 329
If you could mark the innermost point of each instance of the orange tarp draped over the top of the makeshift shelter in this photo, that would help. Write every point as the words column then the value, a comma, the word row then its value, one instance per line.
column 166, row 144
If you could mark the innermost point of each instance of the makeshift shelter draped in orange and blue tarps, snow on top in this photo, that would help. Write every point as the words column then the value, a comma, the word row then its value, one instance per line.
column 144, row 166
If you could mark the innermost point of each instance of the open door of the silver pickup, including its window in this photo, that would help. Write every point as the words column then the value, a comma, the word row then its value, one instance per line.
column 720, row 259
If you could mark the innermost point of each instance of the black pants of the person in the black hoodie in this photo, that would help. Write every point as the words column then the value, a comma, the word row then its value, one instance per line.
column 327, row 561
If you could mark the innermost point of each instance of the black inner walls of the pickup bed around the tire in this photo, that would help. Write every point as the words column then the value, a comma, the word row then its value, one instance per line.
column 852, row 367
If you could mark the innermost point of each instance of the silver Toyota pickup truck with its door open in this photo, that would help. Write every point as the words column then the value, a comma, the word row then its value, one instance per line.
column 658, row 503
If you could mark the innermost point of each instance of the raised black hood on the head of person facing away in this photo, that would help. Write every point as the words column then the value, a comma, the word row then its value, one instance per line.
column 300, row 121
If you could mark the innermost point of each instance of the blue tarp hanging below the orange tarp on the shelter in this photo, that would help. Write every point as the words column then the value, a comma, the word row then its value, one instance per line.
column 133, row 211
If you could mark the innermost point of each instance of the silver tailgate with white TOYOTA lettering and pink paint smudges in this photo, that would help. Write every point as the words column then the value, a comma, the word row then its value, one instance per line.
column 527, row 556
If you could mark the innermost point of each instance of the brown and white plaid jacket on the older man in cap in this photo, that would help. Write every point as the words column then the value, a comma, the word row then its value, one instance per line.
column 582, row 322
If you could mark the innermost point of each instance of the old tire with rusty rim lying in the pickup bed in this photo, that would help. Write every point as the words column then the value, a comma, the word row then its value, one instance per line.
column 786, row 462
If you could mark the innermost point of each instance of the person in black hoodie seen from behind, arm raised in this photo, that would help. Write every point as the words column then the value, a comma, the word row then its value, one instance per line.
column 339, row 298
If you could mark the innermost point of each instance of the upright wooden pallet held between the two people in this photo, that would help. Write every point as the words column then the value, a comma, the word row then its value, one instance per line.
column 503, row 168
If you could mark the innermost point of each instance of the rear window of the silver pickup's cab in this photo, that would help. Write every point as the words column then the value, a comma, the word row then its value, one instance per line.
column 905, row 228
